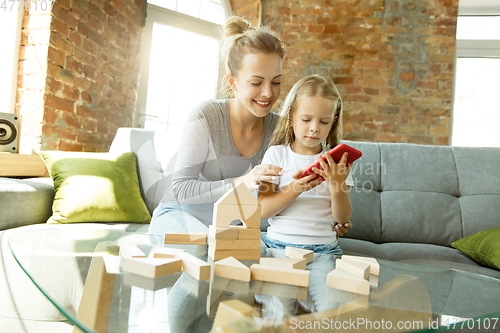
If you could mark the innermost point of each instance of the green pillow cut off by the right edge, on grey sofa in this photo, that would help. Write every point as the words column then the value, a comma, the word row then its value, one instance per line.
column 483, row 247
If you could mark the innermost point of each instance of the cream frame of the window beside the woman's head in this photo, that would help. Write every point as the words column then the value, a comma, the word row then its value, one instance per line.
column 156, row 14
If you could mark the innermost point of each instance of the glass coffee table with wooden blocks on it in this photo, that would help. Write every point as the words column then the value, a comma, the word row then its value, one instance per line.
column 403, row 298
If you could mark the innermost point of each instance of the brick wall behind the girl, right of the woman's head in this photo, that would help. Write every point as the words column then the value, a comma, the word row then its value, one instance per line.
column 391, row 60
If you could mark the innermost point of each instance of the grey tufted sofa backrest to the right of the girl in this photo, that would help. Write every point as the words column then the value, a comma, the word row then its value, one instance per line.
column 423, row 194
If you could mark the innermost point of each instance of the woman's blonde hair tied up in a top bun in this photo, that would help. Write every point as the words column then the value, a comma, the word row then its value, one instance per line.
column 241, row 38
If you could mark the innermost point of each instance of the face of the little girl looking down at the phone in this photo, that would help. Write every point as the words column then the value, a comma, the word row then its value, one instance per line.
column 313, row 117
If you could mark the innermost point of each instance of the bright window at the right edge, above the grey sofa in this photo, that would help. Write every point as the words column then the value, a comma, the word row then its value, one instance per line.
column 476, row 111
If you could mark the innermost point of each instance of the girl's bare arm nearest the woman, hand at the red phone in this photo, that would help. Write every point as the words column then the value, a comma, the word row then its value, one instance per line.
column 273, row 202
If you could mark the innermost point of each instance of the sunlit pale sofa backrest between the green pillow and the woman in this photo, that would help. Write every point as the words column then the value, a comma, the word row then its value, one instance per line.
column 155, row 152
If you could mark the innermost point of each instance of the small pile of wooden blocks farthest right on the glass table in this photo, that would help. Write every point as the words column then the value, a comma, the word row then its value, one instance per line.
column 352, row 274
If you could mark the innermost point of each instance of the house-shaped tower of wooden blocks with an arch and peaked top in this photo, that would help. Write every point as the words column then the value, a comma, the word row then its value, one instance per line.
column 239, row 242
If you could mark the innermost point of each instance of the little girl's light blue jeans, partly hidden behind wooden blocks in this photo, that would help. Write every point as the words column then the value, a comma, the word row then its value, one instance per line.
column 322, row 264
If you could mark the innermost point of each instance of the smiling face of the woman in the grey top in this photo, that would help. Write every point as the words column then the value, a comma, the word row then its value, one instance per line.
column 257, row 85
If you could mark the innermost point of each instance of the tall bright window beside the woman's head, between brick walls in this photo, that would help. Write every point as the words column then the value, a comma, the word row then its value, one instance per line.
column 180, row 61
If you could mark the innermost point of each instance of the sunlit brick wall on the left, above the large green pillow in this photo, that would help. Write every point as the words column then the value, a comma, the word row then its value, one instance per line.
column 81, row 84
